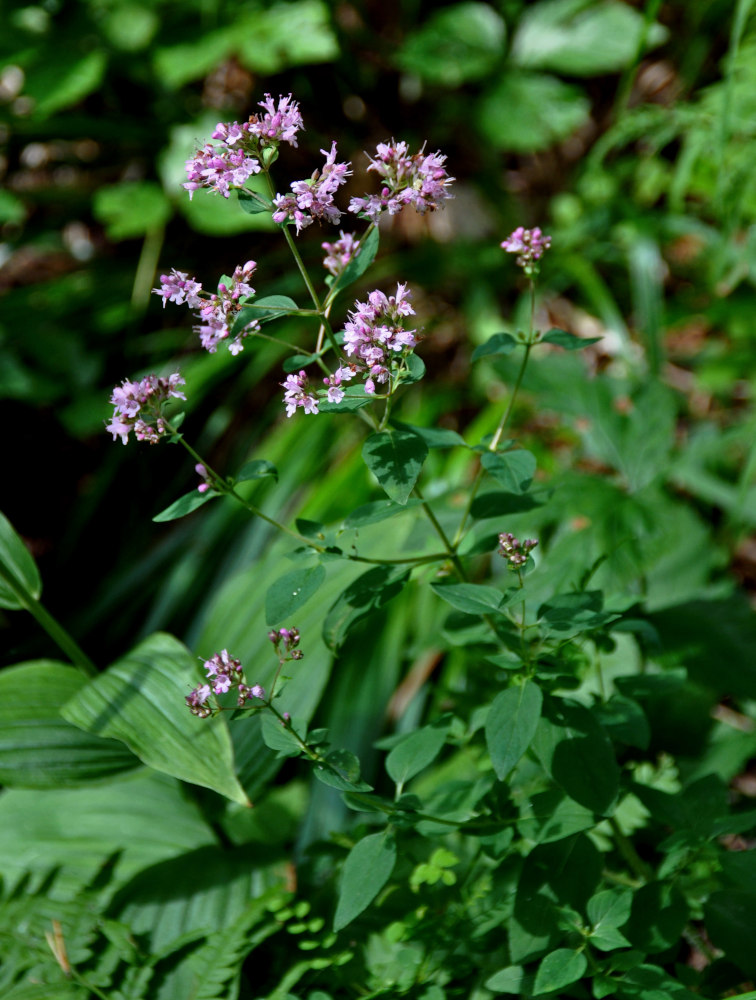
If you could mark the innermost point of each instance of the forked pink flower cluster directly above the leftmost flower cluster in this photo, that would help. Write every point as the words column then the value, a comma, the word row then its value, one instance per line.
column 215, row 312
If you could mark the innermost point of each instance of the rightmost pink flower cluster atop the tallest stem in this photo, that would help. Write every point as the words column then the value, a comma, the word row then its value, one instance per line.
column 419, row 180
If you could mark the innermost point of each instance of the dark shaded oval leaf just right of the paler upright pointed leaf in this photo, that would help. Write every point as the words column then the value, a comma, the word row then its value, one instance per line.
column 576, row 752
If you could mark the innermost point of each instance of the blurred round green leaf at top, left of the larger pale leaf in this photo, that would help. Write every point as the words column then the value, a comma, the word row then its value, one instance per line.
column 455, row 44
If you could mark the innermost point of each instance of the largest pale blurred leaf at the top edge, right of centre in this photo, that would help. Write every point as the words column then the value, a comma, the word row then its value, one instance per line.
column 576, row 38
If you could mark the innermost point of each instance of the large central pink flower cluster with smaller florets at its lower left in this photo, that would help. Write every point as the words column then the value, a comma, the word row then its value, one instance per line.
column 374, row 338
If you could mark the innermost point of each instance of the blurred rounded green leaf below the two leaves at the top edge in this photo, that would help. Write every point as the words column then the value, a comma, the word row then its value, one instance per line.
column 528, row 112
